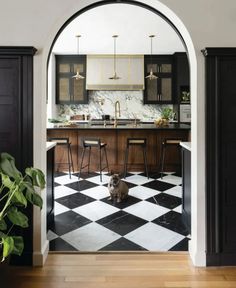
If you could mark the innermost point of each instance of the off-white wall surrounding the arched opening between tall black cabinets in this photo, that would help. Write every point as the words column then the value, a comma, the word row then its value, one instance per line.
column 209, row 23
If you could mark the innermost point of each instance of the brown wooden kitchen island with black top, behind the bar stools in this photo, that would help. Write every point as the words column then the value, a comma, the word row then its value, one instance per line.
column 116, row 138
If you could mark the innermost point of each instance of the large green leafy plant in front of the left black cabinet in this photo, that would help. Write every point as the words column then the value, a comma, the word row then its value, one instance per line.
column 16, row 192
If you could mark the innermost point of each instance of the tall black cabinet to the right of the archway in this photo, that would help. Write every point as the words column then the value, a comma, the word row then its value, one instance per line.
column 221, row 155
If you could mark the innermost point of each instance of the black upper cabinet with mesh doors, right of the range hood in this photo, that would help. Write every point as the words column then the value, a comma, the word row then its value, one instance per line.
column 160, row 90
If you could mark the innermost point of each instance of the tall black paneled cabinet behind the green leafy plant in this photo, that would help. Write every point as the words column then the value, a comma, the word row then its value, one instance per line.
column 16, row 122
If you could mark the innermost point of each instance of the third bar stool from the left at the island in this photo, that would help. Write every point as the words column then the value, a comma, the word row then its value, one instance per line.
column 142, row 142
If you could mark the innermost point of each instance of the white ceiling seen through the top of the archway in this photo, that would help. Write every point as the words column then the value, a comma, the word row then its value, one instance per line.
column 133, row 24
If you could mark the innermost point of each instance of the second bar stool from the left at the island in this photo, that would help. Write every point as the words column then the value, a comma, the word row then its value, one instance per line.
column 88, row 143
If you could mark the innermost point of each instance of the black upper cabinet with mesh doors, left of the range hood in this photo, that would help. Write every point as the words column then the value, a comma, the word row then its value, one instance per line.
column 70, row 90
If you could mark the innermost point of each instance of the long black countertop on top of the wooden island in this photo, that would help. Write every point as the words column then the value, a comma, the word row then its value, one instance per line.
column 120, row 126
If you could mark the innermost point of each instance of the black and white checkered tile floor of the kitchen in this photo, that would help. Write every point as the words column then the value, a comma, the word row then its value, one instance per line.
column 149, row 220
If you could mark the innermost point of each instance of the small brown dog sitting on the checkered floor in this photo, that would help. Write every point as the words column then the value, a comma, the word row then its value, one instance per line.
column 118, row 189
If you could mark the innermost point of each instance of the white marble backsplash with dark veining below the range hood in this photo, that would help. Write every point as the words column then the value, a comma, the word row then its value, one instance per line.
column 103, row 102
